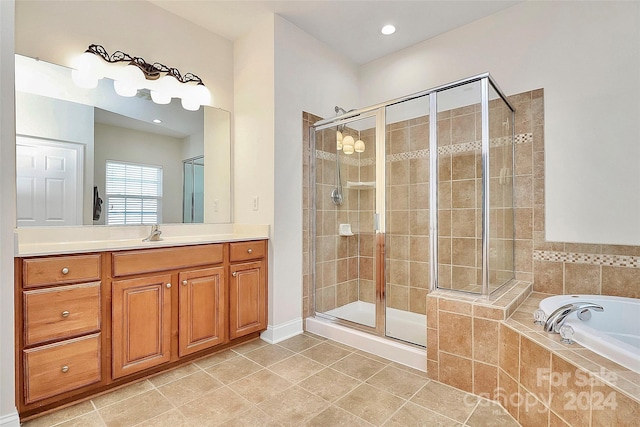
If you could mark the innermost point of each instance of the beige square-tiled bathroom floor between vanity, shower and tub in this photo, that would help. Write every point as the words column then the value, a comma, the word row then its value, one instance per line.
column 304, row 381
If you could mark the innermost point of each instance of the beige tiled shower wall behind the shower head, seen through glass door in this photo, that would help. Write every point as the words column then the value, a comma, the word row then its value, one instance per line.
column 345, row 268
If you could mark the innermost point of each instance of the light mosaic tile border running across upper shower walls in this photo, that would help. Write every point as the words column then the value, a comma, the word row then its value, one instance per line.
column 424, row 153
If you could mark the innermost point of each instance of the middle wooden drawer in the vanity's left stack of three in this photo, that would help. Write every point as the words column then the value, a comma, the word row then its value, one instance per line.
column 61, row 312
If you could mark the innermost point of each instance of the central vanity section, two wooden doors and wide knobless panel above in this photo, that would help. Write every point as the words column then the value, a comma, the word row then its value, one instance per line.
column 143, row 307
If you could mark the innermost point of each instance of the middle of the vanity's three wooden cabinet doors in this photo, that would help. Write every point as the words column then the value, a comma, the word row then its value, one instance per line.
column 202, row 310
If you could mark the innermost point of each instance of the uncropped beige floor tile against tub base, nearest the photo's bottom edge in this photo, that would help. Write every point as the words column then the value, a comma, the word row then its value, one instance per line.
column 446, row 400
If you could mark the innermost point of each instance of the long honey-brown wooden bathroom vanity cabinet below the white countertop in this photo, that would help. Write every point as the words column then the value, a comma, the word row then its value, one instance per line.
column 88, row 322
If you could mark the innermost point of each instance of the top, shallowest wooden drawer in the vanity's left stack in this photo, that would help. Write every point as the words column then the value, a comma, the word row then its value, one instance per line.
column 54, row 270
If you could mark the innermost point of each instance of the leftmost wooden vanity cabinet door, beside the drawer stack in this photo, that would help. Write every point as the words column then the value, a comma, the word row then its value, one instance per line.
column 141, row 323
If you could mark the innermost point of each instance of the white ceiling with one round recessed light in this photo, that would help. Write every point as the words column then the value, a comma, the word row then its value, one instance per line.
column 349, row 27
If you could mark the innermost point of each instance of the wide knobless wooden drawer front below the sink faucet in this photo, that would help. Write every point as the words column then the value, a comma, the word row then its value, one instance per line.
column 155, row 260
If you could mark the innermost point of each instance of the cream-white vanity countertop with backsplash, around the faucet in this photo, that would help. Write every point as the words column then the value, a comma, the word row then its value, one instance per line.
column 66, row 240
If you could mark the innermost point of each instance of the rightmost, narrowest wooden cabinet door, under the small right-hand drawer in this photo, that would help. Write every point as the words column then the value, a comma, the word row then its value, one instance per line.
column 247, row 299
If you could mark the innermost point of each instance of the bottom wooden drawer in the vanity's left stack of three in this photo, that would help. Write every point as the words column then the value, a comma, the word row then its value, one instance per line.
column 61, row 367
